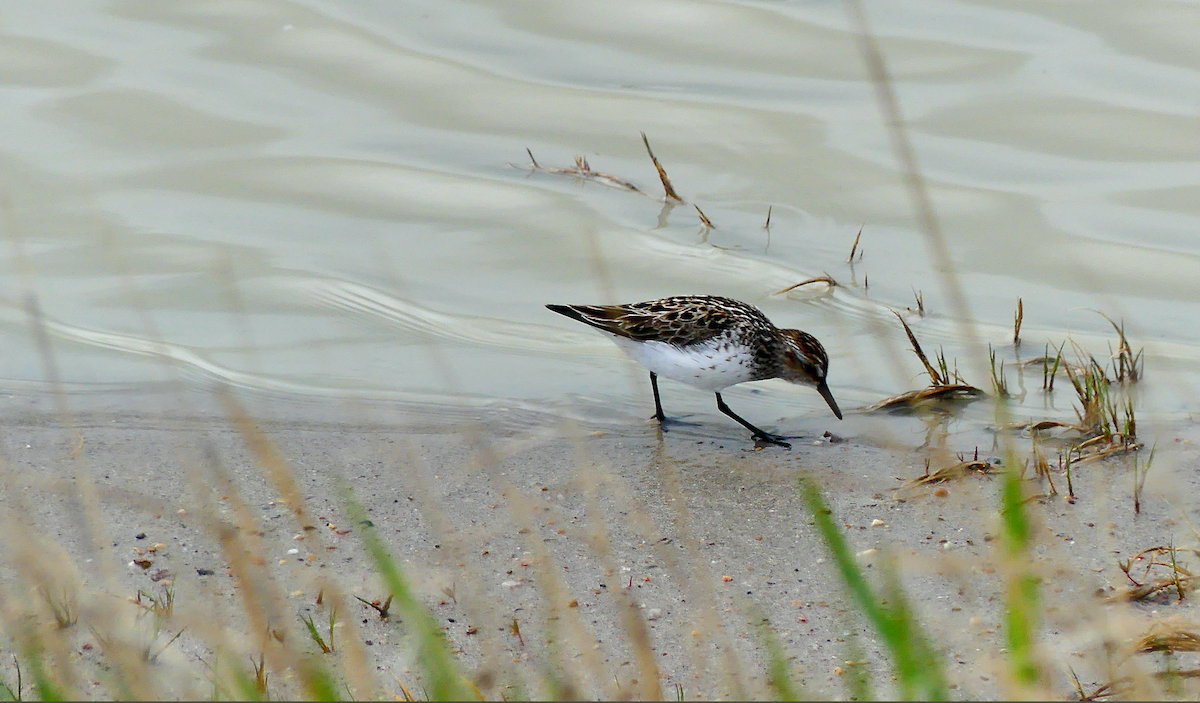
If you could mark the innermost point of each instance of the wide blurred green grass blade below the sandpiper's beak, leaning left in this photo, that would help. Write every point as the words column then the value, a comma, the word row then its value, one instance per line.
column 917, row 666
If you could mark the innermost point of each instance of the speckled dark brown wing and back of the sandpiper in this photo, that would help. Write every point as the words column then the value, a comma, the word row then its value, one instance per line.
column 681, row 321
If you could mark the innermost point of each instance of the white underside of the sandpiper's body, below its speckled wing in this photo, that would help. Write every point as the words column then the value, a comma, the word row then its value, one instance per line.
column 712, row 366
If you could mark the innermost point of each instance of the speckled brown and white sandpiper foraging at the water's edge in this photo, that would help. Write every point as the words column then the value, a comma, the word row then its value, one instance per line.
column 711, row 344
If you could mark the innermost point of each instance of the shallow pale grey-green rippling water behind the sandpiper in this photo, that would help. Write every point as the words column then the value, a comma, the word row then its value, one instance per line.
column 316, row 201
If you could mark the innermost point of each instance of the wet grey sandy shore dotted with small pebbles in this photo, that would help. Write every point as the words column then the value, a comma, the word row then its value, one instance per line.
column 705, row 538
